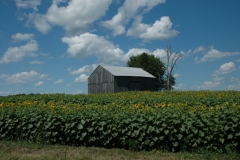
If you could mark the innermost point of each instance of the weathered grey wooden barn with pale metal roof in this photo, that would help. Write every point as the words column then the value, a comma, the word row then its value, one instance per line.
column 112, row 79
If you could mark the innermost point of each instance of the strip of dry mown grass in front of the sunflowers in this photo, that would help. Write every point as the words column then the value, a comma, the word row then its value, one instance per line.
column 28, row 151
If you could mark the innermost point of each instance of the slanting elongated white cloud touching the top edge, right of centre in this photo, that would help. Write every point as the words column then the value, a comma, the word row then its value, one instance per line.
column 129, row 10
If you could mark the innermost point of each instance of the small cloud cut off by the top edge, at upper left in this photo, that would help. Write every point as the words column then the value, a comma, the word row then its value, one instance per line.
column 28, row 4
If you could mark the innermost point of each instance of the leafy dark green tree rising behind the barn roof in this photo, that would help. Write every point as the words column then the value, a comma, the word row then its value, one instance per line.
column 154, row 66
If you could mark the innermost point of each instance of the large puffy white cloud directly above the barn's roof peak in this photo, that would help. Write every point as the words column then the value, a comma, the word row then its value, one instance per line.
column 90, row 44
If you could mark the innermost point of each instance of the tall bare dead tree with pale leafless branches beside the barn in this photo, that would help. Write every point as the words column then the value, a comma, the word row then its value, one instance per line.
column 172, row 59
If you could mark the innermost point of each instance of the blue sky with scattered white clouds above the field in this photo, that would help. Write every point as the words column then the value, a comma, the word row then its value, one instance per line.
column 52, row 46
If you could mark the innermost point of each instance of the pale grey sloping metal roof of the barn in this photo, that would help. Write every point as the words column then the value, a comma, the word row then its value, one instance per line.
column 127, row 71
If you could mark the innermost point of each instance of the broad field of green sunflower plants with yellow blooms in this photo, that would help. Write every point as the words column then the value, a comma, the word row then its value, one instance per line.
column 175, row 121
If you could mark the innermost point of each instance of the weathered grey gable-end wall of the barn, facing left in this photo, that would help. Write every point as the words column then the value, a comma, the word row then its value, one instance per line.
column 100, row 81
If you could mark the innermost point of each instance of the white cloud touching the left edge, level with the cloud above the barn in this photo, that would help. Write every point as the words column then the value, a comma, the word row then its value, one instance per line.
column 15, row 54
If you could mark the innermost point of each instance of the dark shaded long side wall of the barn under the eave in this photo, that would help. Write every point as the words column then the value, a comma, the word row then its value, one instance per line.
column 123, row 83
